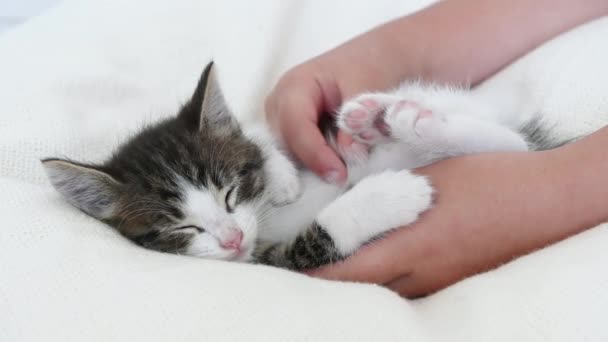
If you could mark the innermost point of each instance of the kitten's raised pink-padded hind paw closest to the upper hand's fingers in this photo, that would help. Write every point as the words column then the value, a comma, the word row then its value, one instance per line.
column 363, row 117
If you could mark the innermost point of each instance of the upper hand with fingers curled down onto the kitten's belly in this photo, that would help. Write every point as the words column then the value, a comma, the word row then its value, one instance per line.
column 313, row 89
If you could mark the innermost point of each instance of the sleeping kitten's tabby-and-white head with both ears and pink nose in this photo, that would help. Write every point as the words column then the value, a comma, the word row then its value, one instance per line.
column 191, row 185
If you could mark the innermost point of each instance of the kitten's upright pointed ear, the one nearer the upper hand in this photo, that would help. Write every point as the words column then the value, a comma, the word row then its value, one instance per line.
column 207, row 108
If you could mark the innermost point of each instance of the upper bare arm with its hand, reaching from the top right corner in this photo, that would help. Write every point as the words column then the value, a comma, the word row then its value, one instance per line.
column 459, row 41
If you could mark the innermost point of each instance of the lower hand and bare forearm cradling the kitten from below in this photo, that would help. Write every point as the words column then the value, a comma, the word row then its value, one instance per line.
column 489, row 209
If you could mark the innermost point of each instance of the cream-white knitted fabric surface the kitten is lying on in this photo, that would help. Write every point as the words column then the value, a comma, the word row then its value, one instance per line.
column 74, row 81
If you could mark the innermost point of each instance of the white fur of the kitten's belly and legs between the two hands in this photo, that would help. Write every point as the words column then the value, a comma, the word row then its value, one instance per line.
column 439, row 122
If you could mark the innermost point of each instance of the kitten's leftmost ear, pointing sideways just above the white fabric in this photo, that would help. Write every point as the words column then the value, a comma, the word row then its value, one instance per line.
column 85, row 187
